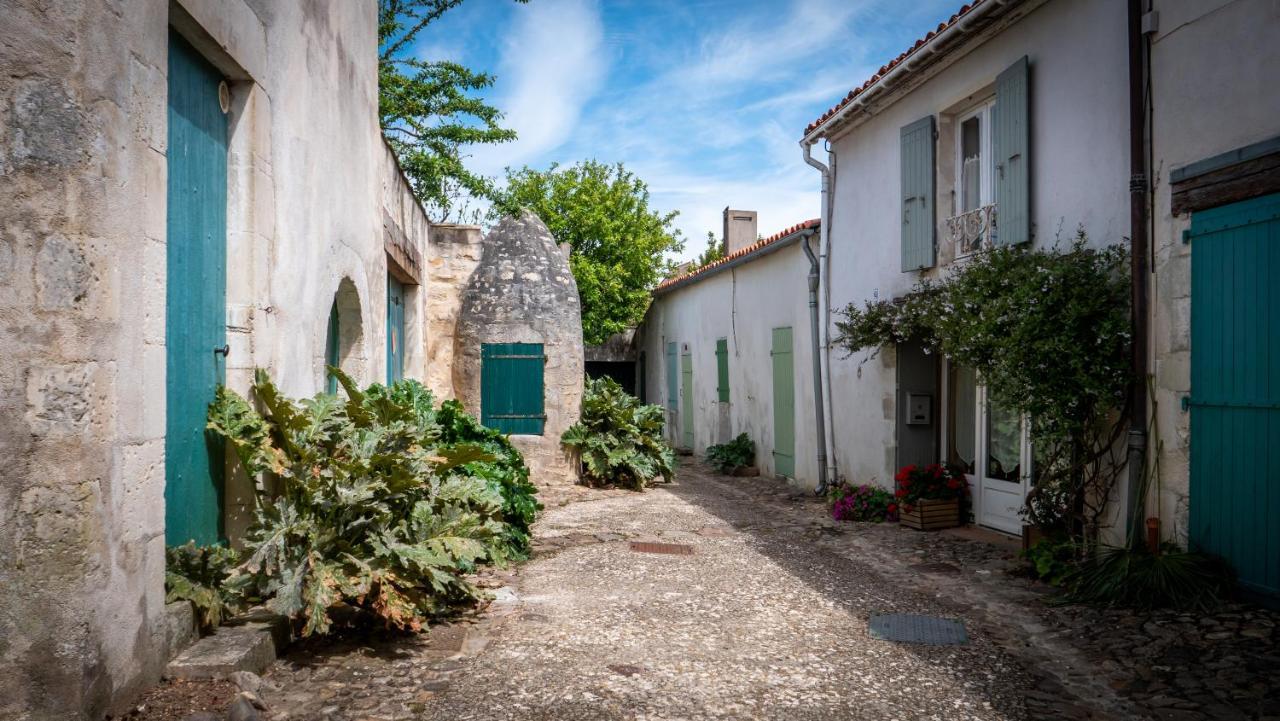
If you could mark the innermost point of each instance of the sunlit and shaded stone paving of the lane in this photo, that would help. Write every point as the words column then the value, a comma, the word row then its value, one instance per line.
column 767, row 619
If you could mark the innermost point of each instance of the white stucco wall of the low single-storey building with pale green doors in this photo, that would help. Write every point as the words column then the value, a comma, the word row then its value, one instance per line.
column 743, row 305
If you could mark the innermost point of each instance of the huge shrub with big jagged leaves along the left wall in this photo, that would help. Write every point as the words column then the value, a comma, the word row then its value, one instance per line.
column 374, row 512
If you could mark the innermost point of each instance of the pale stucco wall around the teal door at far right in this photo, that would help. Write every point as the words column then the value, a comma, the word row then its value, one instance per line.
column 1214, row 90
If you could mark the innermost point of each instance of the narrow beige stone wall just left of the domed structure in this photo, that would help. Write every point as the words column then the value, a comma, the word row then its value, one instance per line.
column 452, row 257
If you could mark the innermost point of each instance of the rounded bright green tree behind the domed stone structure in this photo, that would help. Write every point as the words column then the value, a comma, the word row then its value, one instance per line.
column 619, row 244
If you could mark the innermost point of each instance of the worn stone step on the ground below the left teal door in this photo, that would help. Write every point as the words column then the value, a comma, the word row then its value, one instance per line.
column 248, row 644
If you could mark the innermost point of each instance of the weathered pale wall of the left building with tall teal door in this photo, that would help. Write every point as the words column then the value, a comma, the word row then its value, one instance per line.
column 314, row 197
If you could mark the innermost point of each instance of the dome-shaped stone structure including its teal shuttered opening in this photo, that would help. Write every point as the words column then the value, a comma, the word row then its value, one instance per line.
column 519, row 330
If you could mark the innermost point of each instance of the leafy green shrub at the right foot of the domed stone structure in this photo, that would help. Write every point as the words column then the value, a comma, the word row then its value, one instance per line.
column 620, row 439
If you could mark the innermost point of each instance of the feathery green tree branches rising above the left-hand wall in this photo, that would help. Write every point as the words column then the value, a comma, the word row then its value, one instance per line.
column 429, row 113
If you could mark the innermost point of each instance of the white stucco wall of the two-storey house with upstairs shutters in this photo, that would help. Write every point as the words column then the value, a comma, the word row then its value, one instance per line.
column 1078, row 179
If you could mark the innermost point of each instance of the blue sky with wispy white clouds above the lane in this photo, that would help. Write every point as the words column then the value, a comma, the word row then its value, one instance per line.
column 706, row 101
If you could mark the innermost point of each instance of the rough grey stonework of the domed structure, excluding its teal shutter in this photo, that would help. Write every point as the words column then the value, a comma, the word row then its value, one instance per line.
column 524, row 293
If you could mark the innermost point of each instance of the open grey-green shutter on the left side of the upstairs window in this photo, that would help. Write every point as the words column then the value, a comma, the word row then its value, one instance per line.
column 918, row 180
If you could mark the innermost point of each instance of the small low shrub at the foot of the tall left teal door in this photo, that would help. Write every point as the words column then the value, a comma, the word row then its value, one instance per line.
column 202, row 574
